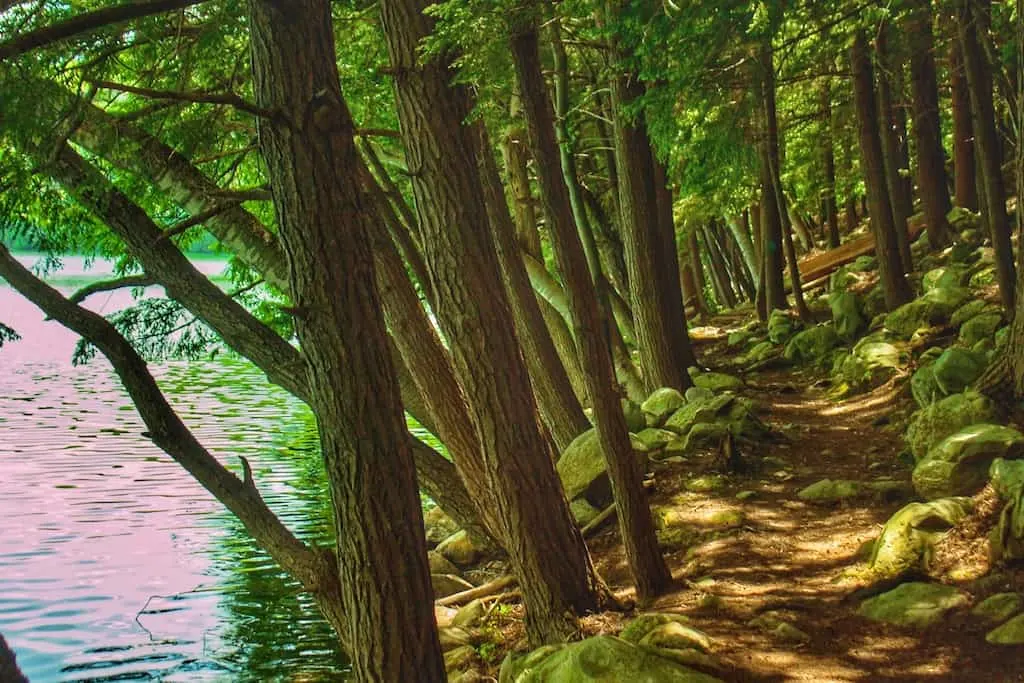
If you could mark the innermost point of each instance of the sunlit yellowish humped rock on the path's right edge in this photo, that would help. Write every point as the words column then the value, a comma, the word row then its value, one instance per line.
column 909, row 537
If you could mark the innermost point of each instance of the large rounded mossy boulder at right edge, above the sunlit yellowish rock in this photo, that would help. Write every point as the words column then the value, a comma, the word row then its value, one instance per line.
column 959, row 466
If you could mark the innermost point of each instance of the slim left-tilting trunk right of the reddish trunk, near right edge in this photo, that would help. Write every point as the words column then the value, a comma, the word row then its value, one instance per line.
column 970, row 18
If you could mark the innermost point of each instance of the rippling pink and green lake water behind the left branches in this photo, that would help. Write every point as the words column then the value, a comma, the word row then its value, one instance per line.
column 115, row 565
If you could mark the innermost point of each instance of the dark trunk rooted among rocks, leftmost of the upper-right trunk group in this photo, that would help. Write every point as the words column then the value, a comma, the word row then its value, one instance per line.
column 898, row 290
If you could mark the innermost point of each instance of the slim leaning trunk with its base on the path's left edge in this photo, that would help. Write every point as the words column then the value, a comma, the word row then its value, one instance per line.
column 636, row 526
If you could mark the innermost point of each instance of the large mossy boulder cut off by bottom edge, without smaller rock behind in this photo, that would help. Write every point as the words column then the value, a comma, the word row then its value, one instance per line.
column 599, row 660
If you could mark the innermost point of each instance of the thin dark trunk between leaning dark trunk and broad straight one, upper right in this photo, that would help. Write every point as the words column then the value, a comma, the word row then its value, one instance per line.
column 901, row 200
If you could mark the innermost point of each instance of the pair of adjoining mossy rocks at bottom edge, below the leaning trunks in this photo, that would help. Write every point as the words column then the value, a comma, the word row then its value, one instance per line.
column 653, row 648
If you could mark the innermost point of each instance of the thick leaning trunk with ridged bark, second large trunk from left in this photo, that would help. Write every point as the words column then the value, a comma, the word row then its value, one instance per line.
column 532, row 515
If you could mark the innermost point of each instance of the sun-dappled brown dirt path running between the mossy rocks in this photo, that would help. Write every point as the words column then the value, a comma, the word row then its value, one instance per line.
column 788, row 559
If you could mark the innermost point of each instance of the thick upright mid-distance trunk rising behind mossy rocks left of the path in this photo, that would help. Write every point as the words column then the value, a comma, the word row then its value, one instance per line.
column 663, row 356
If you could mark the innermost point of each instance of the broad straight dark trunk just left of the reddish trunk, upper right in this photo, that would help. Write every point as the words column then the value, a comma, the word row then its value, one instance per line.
column 928, row 135
